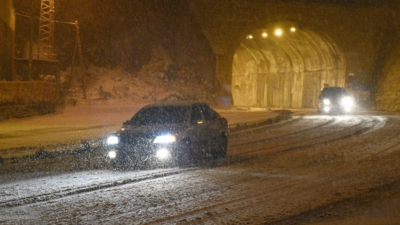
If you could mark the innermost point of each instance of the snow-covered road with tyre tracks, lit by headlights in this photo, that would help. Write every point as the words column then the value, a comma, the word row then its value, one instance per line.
column 290, row 172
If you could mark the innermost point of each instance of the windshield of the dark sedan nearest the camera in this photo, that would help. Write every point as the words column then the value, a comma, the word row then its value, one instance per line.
column 160, row 115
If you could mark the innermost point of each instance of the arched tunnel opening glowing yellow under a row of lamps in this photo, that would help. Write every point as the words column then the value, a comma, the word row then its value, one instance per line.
column 284, row 66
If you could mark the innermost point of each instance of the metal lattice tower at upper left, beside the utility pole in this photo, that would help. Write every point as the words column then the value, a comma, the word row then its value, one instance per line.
column 46, row 30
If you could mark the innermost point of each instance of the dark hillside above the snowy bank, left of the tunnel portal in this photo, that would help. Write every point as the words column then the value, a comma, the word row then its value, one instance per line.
column 155, row 40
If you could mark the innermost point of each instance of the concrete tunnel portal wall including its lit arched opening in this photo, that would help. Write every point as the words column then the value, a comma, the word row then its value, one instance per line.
column 335, row 42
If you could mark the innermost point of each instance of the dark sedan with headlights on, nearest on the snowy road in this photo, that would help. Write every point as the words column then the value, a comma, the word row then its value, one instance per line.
column 176, row 132
